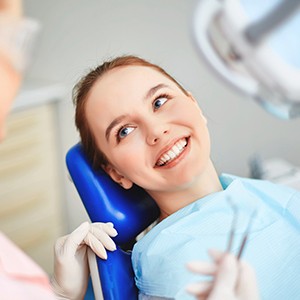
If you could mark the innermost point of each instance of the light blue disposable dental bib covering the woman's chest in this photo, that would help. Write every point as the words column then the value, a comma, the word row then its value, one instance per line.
column 273, row 246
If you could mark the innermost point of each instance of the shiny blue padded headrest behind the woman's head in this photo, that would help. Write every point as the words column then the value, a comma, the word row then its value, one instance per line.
column 131, row 211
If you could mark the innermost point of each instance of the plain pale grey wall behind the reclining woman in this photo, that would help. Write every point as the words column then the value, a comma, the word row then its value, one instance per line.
column 79, row 34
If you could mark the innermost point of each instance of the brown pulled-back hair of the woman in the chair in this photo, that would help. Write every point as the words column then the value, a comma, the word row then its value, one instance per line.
column 80, row 95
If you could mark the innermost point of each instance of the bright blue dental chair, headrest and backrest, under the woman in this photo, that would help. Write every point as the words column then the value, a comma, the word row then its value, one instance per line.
column 131, row 212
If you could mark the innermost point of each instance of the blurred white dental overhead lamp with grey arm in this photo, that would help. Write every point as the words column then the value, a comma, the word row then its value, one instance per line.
column 254, row 45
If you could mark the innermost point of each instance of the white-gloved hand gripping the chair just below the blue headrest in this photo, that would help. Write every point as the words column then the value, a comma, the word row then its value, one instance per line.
column 71, row 271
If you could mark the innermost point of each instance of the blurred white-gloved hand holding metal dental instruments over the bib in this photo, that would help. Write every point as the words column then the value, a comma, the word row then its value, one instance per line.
column 233, row 279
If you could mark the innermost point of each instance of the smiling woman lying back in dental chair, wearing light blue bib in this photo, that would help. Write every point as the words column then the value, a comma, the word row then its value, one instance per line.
column 142, row 127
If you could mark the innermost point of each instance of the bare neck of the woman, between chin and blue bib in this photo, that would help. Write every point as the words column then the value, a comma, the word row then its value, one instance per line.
column 207, row 183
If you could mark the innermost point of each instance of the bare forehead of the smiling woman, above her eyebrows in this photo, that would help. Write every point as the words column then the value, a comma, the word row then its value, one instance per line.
column 119, row 90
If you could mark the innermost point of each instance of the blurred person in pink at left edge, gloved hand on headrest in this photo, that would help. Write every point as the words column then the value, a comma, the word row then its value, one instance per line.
column 20, row 277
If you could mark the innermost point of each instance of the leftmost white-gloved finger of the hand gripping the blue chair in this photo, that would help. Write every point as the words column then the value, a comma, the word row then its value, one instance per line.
column 74, row 240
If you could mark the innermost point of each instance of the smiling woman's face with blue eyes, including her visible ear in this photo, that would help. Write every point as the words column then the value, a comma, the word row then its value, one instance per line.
column 152, row 133
